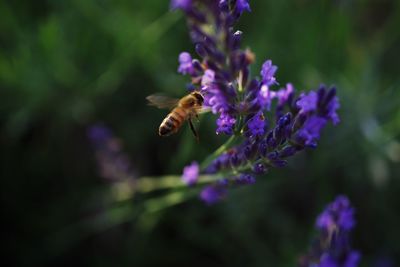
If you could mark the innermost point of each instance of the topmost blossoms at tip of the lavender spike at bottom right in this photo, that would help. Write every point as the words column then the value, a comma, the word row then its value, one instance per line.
column 338, row 214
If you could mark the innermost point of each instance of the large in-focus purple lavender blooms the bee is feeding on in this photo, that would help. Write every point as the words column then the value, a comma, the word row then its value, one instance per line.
column 273, row 124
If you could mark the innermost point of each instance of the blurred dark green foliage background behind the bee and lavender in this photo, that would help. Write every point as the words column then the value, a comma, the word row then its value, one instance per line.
column 65, row 65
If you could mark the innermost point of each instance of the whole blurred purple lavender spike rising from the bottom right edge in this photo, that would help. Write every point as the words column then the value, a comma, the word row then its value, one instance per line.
column 332, row 247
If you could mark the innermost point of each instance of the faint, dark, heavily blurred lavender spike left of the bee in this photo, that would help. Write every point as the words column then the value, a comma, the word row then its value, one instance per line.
column 112, row 163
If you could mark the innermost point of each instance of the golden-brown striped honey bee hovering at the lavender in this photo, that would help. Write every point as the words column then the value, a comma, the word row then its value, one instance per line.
column 186, row 108
